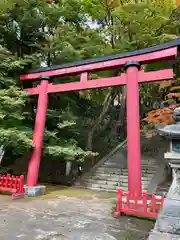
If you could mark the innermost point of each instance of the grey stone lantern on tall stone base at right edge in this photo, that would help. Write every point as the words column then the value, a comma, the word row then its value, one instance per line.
column 168, row 223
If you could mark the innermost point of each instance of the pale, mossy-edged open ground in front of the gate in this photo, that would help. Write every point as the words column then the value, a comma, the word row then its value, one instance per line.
column 67, row 214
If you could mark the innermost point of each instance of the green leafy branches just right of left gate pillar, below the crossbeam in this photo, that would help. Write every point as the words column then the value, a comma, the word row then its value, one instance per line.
column 56, row 142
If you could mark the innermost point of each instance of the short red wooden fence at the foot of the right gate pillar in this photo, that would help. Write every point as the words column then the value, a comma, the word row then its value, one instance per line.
column 143, row 206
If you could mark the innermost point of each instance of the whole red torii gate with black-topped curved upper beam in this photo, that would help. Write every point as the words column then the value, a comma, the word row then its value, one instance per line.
column 131, row 62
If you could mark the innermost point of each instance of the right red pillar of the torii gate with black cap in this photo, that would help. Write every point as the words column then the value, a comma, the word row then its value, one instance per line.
column 133, row 128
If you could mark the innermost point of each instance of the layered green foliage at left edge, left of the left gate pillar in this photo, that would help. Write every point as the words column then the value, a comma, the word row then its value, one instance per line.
column 13, row 101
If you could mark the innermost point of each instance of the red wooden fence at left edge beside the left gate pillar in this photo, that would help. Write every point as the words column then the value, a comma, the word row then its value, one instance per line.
column 12, row 184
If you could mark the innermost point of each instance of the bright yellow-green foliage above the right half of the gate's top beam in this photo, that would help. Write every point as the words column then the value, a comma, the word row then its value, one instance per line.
column 131, row 24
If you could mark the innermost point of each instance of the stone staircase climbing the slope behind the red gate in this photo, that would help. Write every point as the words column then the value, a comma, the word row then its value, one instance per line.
column 111, row 172
